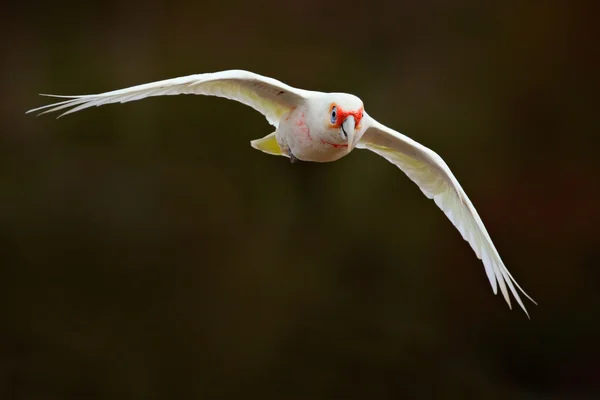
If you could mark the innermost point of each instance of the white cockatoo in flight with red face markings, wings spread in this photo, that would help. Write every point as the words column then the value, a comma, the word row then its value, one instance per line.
column 321, row 127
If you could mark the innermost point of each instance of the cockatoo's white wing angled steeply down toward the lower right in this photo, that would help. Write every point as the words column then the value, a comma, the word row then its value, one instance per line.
column 427, row 169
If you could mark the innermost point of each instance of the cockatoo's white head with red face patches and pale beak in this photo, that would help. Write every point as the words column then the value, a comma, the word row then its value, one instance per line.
column 341, row 115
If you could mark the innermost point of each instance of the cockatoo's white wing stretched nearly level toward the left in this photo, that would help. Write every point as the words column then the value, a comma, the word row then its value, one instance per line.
column 269, row 96
